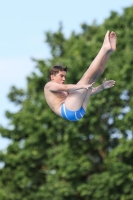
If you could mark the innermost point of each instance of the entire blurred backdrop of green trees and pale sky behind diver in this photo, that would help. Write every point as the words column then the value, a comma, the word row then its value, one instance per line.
column 43, row 156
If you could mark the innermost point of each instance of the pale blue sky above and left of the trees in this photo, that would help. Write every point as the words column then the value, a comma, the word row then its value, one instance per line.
column 22, row 35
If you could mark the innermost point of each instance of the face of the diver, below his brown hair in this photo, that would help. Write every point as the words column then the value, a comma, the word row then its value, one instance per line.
column 59, row 78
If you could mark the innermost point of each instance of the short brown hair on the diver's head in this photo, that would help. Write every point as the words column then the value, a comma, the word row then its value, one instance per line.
column 56, row 69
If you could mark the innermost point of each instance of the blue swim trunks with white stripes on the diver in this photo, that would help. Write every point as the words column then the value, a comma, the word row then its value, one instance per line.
column 72, row 115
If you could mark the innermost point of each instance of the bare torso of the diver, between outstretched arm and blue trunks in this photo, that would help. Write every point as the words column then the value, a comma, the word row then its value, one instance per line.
column 55, row 99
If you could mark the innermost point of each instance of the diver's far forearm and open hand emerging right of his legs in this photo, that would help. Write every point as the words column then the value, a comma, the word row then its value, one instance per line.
column 105, row 85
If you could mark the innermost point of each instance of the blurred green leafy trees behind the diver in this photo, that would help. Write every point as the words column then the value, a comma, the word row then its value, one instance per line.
column 51, row 158
